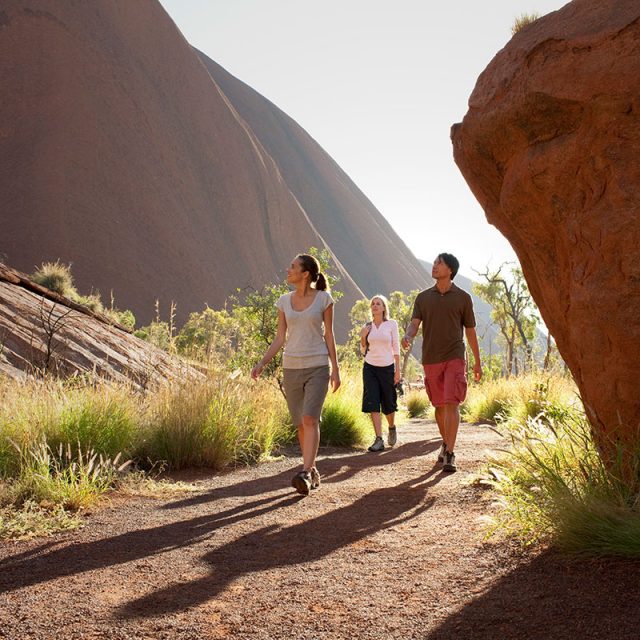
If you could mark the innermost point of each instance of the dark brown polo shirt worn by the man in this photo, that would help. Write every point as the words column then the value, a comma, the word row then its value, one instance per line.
column 444, row 317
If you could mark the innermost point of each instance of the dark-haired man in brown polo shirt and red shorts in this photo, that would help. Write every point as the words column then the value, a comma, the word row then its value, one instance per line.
column 446, row 312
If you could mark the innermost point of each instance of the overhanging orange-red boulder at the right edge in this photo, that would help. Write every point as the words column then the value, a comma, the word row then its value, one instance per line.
column 550, row 147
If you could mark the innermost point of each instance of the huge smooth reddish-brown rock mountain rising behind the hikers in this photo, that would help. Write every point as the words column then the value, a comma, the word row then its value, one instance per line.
column 121, row 154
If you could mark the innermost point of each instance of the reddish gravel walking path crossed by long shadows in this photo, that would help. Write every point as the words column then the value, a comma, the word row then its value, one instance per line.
column 389, row 547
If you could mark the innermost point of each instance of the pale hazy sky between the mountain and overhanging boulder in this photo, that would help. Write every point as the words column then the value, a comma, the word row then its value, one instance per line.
column 378, row 85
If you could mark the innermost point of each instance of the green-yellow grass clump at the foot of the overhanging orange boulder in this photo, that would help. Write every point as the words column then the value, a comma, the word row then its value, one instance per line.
column 553, row 485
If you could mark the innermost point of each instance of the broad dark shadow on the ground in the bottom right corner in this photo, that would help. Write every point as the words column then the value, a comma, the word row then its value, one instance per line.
column 554, row 597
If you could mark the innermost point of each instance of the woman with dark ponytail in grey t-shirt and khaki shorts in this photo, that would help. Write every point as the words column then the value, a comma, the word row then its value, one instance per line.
column 305, row 324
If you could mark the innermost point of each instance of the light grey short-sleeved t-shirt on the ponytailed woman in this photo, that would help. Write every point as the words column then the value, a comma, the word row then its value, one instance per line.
column 305, row 346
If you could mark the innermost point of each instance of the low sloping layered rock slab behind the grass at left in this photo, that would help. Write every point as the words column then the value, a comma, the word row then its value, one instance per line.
column 43, row 333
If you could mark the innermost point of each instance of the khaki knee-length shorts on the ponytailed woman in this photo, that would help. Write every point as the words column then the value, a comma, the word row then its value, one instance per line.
column 306, row 390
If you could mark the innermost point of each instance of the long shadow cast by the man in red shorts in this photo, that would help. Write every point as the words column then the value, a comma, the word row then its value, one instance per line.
column 312, row 540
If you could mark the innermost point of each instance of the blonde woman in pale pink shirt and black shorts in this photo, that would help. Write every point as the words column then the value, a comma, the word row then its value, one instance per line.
column 379, row 341
